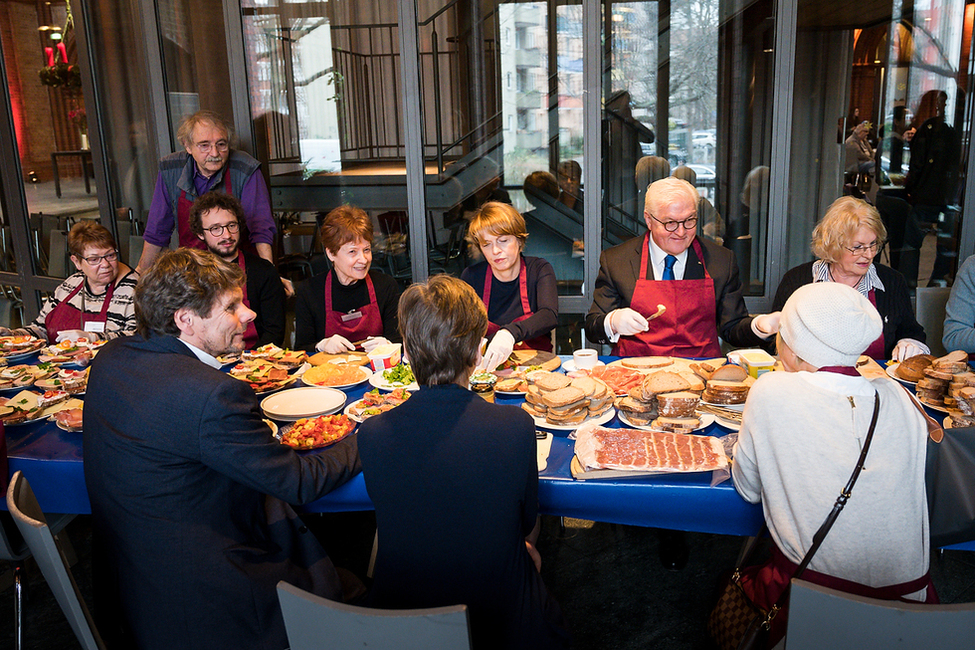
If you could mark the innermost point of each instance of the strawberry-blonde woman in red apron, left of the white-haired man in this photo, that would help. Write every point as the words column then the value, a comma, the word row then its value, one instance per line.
column 519, row 292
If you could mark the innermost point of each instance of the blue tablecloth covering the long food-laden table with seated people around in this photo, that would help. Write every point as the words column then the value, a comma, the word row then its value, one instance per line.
column 52, row 460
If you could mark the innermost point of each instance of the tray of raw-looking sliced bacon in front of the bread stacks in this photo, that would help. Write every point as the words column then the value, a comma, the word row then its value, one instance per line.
column 601, row 452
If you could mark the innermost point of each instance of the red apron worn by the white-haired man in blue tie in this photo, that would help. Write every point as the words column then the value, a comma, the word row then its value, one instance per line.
column 687, row 329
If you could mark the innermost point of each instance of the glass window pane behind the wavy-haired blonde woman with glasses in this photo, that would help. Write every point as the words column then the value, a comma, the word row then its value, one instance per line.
column 882, row 112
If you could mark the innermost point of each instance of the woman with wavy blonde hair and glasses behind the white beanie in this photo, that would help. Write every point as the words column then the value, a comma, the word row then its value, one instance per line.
column 845, row 242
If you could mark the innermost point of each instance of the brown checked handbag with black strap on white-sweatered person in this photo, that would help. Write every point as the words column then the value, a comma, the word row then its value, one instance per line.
column 736, row 623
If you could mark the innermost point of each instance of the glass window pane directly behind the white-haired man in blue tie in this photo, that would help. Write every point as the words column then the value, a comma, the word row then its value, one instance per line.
column 688, row 92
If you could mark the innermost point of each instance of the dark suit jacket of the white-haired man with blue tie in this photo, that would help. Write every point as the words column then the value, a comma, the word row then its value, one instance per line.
column 619, row 268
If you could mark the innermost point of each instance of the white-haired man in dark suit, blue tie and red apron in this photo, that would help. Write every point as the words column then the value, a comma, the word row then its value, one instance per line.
column 669, row 293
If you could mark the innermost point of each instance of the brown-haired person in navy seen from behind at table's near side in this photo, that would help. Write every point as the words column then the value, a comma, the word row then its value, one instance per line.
column 454, row 529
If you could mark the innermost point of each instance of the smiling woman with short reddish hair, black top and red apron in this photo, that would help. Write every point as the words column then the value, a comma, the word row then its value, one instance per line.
column 352, row 302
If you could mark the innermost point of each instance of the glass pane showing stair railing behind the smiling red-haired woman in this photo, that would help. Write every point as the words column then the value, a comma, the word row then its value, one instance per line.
column 327, row 105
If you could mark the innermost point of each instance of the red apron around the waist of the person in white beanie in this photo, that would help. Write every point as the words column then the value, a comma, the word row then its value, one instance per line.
column 765, row 583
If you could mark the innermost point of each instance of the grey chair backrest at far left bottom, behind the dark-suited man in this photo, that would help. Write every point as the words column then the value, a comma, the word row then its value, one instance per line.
column 46, row 550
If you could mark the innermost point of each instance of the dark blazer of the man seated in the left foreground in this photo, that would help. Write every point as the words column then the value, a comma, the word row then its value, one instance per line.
column 177, row 465
